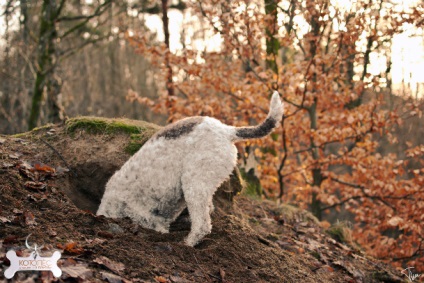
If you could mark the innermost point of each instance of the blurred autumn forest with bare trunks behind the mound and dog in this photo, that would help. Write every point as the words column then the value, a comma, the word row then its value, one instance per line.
column 351, row 144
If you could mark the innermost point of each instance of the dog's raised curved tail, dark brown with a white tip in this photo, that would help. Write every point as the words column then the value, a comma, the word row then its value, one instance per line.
column 275, row 115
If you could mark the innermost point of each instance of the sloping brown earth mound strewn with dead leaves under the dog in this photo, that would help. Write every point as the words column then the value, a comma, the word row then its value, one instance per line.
column 51, row 181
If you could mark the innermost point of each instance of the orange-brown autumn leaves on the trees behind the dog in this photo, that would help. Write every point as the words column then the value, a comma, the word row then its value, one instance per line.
column 327, row 154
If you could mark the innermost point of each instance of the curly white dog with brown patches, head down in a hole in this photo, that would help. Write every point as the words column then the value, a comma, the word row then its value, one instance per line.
column 181, row 166
